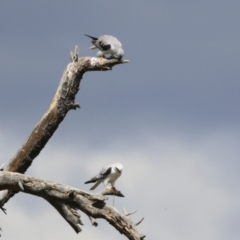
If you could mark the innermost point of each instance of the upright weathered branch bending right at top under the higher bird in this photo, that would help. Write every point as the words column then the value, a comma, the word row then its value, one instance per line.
column 63, row 101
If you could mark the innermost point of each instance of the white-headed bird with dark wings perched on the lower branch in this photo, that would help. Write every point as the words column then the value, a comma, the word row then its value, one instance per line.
column 108, row 175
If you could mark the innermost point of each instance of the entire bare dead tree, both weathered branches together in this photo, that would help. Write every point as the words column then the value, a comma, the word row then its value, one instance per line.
column 66, row 200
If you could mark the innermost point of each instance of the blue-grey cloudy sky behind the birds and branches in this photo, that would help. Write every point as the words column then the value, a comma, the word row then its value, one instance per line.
column 170, row 115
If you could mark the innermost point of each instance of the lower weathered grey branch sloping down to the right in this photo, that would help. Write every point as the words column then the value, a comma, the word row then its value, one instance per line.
column 69, row 199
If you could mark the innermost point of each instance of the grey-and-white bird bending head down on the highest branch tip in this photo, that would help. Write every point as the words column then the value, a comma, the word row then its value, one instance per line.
column 107, row 45
